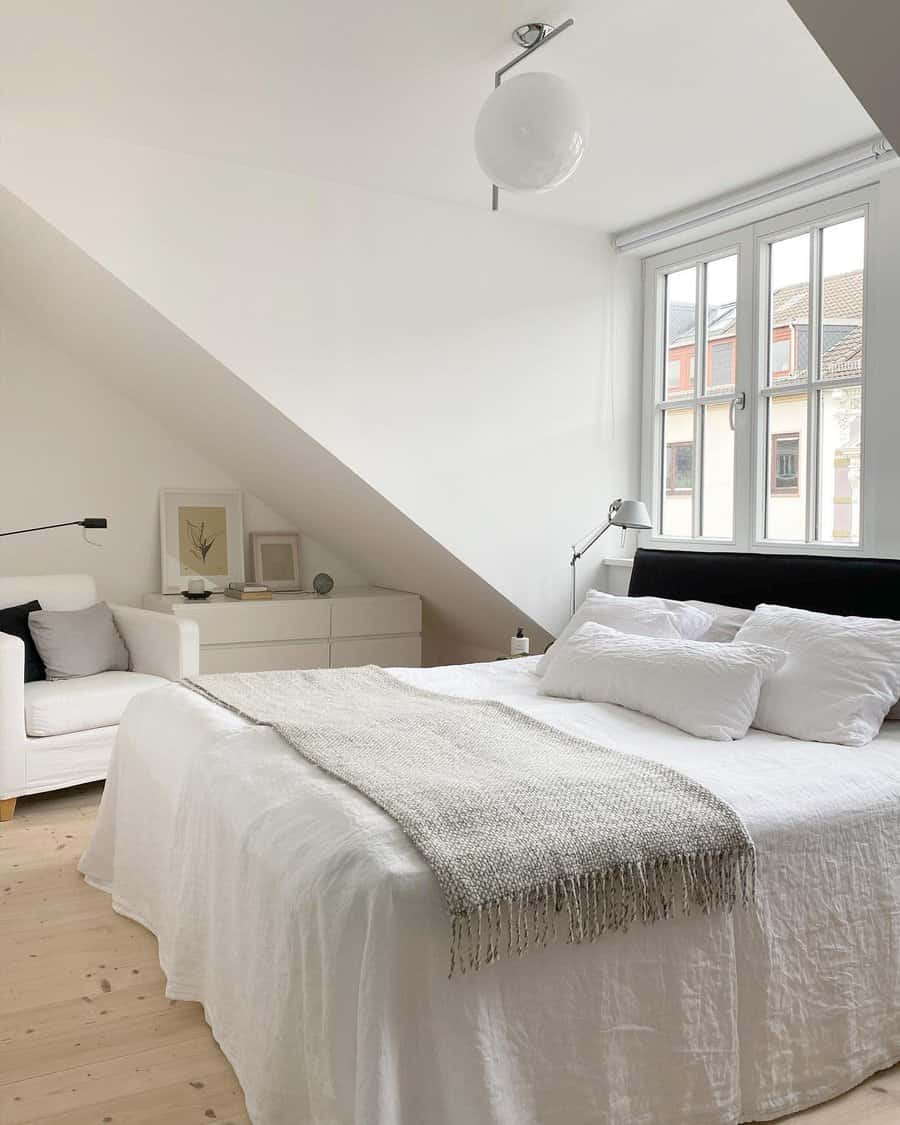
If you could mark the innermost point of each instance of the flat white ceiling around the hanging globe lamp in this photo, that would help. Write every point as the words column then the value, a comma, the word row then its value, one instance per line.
column 687, row 100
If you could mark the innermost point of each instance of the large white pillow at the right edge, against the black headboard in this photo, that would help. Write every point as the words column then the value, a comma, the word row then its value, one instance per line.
column 841, row 678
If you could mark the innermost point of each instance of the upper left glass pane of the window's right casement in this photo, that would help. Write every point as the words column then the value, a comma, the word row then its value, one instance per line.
column 789, row 310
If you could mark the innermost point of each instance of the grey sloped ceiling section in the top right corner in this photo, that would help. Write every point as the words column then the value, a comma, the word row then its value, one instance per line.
column 862, row 42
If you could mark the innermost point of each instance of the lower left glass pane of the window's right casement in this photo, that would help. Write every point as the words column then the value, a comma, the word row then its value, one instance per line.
column 787, row 485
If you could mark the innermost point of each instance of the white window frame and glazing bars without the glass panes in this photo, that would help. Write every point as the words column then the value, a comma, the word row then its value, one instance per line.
column 751, row 245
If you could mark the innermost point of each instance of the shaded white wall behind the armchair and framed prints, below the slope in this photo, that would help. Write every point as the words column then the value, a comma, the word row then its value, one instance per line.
column 71, row 447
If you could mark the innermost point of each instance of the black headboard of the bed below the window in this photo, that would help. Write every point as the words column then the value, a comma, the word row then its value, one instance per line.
column 850, row 587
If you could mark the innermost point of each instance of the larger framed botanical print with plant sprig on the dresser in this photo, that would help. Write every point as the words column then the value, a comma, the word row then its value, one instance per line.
column 202, row 536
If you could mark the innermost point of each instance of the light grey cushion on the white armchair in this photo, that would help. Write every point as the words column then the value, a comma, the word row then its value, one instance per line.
column 78, row 643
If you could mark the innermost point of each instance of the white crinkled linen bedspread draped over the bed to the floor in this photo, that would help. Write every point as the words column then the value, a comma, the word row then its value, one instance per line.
column 314, row 935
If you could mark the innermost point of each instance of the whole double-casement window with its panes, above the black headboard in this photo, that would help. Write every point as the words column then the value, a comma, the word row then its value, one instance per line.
column 755, row 391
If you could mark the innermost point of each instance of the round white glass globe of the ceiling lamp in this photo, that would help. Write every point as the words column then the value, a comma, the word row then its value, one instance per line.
column 532, row 133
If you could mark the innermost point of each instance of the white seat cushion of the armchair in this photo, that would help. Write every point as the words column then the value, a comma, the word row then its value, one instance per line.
column 62, row 707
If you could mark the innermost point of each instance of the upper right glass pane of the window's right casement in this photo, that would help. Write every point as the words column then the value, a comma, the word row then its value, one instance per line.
column 842, row 335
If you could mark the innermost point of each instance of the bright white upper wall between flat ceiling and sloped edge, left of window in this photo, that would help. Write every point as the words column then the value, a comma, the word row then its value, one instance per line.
column 478, row 371
